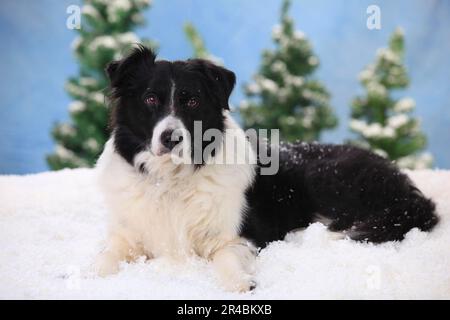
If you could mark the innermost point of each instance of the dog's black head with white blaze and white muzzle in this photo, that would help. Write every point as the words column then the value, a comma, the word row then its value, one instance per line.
column 154, row 102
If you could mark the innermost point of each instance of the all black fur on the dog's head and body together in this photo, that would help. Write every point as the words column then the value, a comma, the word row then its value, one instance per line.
column 354, row 190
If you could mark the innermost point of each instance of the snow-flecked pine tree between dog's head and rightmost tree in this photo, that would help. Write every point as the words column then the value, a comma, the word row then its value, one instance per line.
column 284, row 95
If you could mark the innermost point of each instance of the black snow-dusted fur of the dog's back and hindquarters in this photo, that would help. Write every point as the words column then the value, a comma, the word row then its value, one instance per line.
column 354, row 190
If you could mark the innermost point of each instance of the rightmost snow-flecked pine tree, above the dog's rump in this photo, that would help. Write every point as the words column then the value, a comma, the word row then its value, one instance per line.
column 383, row 123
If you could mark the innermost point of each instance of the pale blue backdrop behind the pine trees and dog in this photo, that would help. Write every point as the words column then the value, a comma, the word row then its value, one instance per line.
column 36, row 59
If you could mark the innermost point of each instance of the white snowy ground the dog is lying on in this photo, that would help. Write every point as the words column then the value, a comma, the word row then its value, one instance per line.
column 52, row 225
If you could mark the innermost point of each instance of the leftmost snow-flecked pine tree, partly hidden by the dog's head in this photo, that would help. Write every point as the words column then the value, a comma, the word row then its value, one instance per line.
column 104, row 36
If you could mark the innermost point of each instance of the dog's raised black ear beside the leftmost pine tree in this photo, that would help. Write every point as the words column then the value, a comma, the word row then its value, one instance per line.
column 121, row 71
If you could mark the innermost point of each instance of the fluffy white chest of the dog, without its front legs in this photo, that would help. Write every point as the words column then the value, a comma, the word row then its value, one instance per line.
column 176, row 214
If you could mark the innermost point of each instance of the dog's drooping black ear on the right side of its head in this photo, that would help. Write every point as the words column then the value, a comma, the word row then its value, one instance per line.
column 220, row 79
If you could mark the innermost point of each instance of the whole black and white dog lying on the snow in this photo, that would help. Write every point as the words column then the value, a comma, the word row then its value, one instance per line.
column 223, row 212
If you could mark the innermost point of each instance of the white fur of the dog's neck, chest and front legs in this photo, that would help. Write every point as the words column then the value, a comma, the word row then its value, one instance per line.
column 176, row 211
